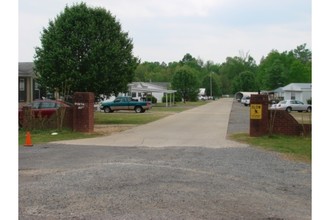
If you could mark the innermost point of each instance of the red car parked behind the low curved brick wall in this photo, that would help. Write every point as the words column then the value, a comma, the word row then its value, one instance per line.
column 43, row 108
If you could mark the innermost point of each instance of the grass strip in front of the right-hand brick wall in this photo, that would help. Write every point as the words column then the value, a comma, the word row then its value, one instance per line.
column 293, row 147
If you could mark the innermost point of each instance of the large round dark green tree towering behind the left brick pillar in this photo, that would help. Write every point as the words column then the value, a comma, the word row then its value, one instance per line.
column 85, row 49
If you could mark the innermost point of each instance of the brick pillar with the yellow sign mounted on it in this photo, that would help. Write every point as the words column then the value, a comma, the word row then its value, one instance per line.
column 258, row 115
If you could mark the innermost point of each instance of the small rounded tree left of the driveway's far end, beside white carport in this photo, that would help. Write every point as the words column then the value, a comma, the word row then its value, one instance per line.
column 186, row 83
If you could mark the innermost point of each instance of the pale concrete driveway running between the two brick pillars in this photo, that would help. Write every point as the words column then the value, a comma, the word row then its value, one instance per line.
column 204, row 126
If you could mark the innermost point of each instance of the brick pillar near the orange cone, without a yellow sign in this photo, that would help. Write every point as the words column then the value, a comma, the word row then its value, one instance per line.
column 83, row 112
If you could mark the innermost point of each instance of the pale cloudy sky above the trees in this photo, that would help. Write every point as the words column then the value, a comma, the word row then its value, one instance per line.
column 167, row 30
